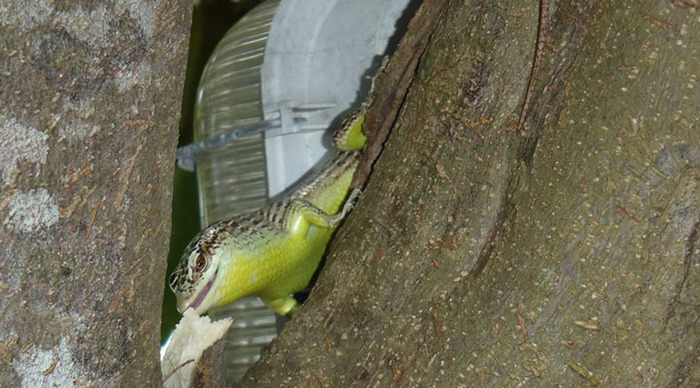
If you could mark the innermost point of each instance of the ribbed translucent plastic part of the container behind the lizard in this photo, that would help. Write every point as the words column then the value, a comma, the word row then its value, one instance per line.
column 232, row 177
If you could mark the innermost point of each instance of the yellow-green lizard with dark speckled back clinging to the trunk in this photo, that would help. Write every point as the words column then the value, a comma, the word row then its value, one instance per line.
column 272, row 252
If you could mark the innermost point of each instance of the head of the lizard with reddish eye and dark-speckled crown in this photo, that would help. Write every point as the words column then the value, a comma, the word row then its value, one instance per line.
column 197, row 273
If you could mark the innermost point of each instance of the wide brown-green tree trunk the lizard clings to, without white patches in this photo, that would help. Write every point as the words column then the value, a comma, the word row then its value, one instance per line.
column 485, row 255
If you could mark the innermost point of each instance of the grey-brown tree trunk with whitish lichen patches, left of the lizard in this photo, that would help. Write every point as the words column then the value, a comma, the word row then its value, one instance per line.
column 89, row 105
